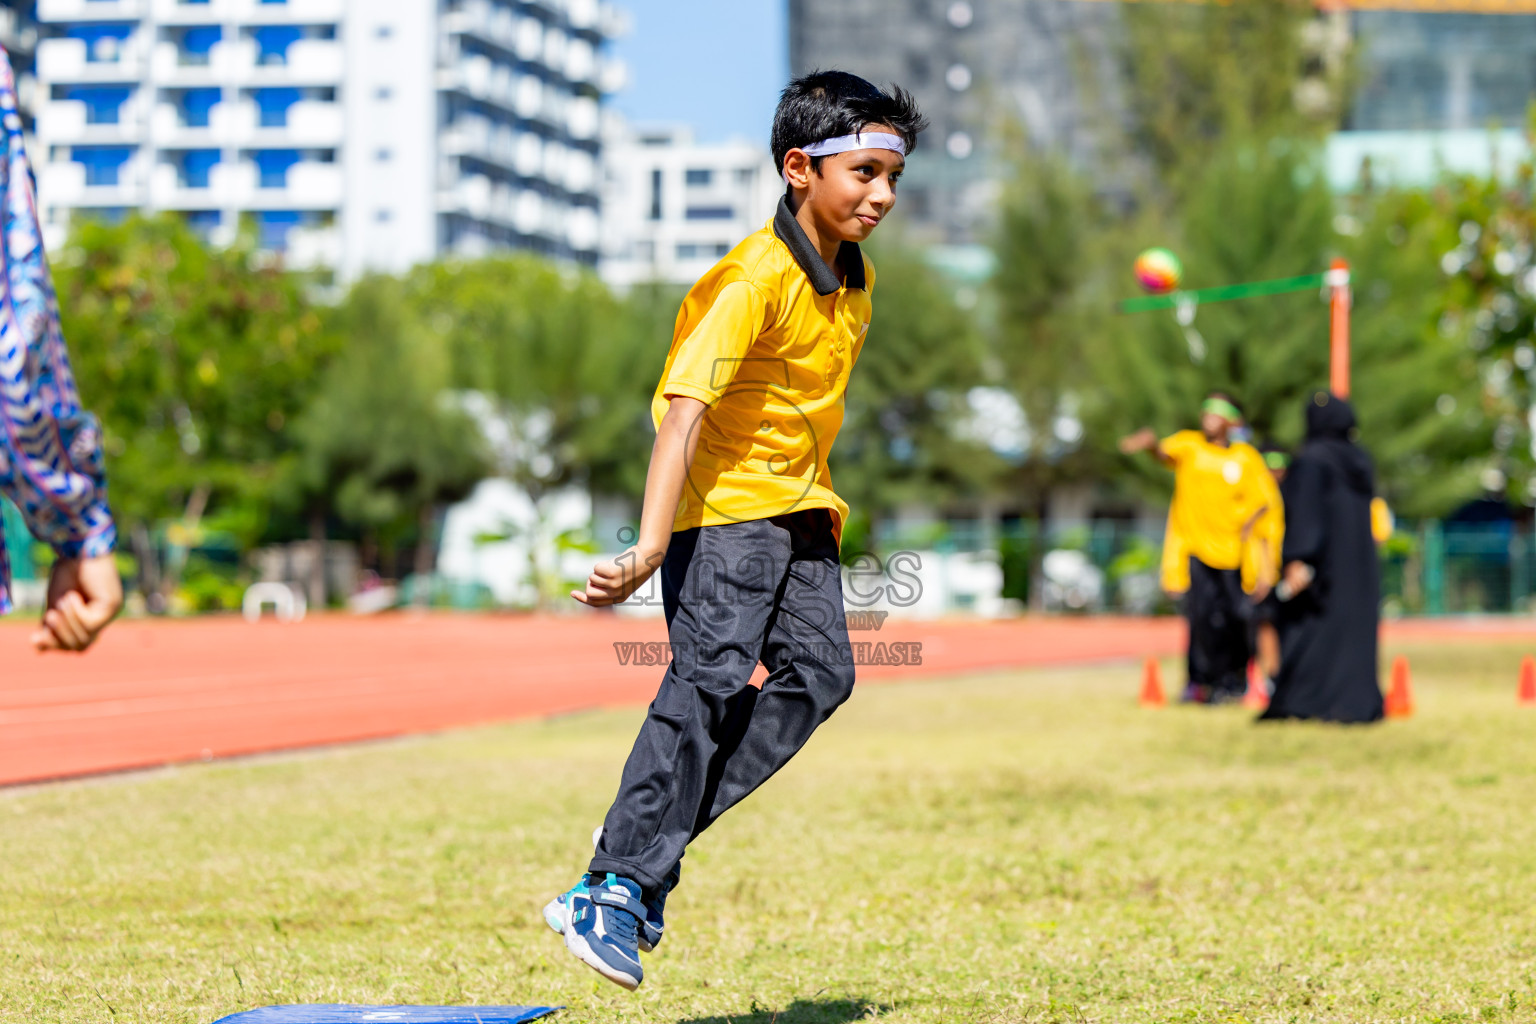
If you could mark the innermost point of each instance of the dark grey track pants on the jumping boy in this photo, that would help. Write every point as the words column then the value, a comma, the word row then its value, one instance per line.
column 737, row 595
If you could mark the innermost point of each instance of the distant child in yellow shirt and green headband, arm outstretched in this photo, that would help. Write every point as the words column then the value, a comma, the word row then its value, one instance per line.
column 1222, row 491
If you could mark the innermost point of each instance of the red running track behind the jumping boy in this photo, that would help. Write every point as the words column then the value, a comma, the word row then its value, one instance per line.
column 157, row 693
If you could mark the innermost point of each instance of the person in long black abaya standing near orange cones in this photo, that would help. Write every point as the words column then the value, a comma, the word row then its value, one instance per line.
column 1331, row 586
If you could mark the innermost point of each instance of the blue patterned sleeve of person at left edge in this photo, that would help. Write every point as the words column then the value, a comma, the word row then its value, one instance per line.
column 51, row 449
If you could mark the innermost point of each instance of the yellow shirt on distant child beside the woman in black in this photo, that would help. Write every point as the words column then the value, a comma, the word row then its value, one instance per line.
column 1216, row 492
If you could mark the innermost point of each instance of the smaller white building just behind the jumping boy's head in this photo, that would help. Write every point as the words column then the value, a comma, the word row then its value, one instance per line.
column 672, row 206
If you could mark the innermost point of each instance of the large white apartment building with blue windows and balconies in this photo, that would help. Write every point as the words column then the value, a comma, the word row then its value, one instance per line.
column 348, row 134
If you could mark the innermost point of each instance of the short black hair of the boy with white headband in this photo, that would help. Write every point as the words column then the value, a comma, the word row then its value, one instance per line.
column 830, row 104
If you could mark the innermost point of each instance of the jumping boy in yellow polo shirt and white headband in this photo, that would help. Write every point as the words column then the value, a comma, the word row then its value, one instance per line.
column 741, row 515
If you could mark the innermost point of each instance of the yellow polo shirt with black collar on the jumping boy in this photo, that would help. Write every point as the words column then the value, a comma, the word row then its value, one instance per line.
column 767, row 340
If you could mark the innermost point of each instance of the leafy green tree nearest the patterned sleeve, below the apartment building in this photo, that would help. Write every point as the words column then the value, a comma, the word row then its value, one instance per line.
column 196, row 360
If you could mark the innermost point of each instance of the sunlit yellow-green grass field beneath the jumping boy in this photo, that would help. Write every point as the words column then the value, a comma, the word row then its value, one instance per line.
column 1015, row 848
